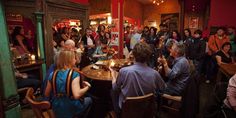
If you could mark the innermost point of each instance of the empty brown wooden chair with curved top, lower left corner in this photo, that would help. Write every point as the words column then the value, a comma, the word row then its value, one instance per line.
column 42, row 108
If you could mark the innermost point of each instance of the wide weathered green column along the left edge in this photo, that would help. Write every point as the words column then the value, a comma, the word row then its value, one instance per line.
column 10, row 98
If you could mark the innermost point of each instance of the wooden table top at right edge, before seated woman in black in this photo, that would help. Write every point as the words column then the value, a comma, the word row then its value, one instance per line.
column 228, row 69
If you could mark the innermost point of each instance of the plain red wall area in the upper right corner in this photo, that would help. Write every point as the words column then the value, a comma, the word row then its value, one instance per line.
column 222, row 13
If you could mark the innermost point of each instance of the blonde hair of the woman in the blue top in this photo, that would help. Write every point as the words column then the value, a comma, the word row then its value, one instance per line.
column 65, row 59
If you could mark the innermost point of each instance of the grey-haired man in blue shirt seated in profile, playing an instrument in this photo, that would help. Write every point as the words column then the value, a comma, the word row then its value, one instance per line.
column 180, row 72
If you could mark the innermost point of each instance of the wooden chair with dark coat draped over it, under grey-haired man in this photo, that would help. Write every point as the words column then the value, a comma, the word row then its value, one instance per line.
column 188, row 104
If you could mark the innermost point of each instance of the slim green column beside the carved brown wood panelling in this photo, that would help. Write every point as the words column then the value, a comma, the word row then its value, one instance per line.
column 40, row 40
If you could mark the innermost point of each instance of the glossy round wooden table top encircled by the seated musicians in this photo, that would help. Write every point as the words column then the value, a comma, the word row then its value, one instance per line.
column 103, row 74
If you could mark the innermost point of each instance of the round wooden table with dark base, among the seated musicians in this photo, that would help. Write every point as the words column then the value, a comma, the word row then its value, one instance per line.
column 101, row 81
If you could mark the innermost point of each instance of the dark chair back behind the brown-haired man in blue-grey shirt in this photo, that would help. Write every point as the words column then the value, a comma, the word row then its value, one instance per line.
column 139, row 107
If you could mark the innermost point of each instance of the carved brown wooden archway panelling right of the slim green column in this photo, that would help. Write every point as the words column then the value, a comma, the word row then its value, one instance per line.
column 55, row 10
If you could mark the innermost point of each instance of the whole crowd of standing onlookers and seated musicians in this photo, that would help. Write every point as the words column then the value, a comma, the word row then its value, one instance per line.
column 174, row 57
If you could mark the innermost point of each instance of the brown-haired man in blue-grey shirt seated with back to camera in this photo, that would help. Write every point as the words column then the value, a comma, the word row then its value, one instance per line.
column 137, row 79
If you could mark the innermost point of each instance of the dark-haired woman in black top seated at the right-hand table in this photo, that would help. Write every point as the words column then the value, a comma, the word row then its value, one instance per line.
column 224, row 56
